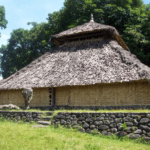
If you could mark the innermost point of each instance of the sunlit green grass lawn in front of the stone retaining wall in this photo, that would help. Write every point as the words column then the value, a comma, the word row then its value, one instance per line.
column 15, row 136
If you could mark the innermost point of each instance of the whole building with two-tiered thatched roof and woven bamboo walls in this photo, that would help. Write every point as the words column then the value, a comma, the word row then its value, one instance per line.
column 91, row 66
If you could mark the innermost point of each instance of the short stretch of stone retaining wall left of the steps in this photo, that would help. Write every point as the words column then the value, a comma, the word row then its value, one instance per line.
column 19, row 115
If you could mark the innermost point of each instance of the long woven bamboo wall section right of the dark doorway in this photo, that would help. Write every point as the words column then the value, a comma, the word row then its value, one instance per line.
column 104, row 95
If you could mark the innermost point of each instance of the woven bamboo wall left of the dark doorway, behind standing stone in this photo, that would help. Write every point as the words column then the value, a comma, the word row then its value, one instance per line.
column 40, row 97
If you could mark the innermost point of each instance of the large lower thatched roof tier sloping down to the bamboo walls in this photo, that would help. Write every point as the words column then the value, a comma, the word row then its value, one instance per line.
column 80, row 63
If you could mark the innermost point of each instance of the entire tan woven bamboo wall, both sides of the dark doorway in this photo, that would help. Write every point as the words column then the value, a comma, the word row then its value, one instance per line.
column 91, row 95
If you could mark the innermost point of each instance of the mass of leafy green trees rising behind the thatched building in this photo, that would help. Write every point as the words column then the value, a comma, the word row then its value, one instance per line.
column 130, row 17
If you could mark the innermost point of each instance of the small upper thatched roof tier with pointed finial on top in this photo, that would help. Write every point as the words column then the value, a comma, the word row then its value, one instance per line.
column 88, row 30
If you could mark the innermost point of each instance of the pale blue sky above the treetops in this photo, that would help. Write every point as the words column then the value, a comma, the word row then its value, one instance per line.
column 19, row 12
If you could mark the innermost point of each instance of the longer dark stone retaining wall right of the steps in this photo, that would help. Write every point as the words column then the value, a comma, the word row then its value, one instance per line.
column 134, row 125
